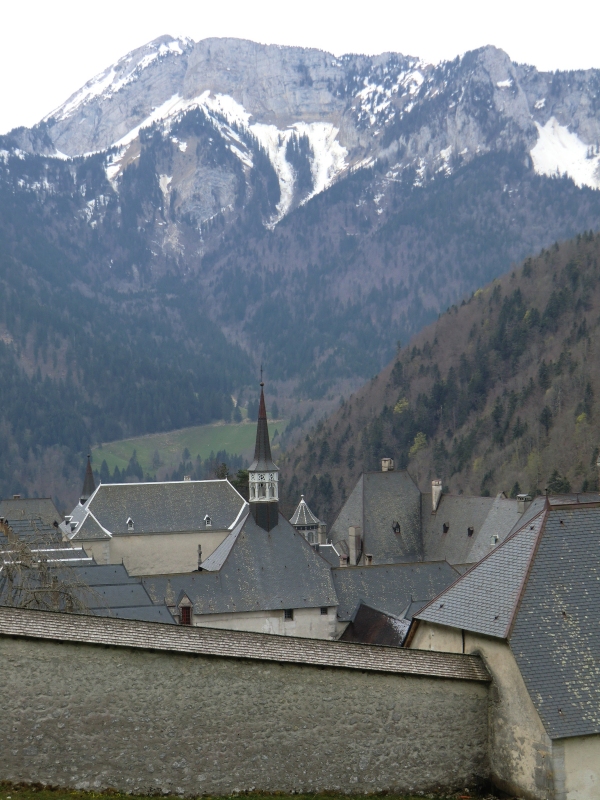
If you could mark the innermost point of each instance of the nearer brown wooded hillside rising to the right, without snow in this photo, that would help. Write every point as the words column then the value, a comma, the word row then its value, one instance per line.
column 501, row 393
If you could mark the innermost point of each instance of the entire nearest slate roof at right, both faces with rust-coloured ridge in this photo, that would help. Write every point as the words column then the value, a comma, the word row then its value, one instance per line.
column 540, row 590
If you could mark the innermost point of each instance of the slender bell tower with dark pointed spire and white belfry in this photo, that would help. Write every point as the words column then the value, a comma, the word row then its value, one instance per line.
column 263, row 474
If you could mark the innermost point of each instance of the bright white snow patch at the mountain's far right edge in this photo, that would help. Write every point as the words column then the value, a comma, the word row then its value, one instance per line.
column 558, row 151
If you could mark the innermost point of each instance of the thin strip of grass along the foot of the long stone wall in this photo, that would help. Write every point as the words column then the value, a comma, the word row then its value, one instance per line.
column 36, row 792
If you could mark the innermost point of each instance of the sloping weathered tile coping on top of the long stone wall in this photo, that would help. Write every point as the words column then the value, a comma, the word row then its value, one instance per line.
column 237, row 644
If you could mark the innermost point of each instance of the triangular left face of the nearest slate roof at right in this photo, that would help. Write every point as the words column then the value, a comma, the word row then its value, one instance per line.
column 483, row 600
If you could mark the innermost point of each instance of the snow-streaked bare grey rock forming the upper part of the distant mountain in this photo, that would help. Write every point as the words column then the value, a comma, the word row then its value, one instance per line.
column 318, row 117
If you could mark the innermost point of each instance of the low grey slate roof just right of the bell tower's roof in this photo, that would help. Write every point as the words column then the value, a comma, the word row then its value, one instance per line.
column 391, row 588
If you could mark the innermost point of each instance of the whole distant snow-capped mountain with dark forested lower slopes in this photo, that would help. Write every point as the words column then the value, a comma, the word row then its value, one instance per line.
column 200, row 208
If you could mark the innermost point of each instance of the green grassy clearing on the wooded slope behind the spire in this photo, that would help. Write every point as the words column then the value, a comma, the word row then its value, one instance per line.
column 202, row 440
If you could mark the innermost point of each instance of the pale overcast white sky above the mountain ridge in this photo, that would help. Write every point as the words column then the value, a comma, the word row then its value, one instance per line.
column 50, row 49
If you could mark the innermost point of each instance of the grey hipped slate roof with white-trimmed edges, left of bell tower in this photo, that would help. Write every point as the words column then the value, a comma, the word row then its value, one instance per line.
column 166, row 507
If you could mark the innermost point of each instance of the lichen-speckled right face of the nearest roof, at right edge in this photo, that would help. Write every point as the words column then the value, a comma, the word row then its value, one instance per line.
column 556, row 635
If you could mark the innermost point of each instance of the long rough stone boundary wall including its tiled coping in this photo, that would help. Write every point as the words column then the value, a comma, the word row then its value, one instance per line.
column 142, row 707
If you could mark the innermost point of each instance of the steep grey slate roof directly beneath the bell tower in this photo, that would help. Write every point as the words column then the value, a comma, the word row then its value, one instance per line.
column 262, row 571
